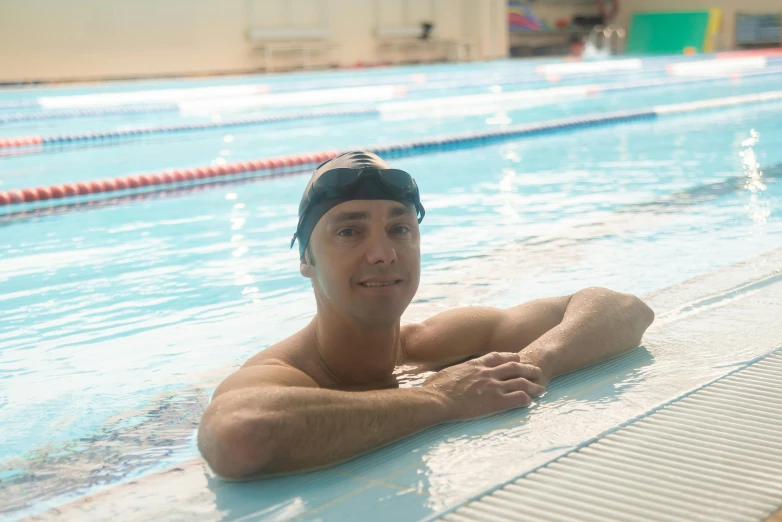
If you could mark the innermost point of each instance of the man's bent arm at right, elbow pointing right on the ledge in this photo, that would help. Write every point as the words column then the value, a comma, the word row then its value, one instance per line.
column 558, row 334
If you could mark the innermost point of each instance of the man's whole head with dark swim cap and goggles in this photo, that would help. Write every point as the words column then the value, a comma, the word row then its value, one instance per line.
column 358, row 237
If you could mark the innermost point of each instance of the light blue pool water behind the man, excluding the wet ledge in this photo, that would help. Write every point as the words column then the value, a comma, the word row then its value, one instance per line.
column 112, row 316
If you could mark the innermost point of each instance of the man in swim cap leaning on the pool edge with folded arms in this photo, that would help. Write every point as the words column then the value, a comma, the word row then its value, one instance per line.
column 331, row 391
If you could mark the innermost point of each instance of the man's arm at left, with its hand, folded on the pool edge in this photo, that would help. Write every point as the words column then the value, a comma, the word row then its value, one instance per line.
column 272, row 427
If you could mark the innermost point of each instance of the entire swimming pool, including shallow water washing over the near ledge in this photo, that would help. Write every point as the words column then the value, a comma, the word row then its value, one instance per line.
column 118, row 321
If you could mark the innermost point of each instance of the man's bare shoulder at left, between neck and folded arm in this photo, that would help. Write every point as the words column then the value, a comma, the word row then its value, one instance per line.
column 282, row 364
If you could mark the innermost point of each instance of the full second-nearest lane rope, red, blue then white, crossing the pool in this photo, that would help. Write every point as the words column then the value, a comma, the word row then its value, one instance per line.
column 23, row 145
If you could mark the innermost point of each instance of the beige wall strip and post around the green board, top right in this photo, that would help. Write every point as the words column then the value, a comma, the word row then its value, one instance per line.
column 726, row 39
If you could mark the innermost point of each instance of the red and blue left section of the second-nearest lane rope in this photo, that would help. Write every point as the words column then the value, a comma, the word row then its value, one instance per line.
column 89, row 137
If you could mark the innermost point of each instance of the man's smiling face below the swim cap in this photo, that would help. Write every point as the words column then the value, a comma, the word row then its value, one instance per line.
column 367, row 257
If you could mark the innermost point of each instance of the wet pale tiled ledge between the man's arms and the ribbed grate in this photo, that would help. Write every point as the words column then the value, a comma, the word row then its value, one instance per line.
column 700, row 320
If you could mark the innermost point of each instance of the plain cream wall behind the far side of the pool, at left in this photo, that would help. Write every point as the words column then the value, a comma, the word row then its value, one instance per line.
column 80, row 39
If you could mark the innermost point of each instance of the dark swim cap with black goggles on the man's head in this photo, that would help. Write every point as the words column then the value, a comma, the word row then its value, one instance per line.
column 312, row 208
